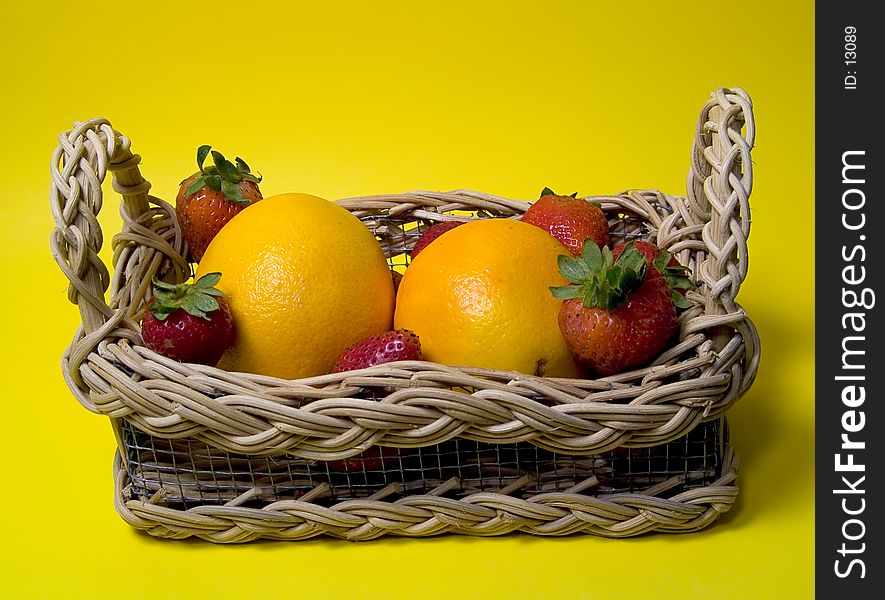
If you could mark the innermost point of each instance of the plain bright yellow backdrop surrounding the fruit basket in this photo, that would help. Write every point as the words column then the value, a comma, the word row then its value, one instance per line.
column 370, row 97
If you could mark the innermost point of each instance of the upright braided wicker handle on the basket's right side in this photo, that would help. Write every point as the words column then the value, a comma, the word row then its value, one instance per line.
column 719, row 184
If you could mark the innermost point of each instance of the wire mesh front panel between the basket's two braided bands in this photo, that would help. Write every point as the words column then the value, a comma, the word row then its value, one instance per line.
column 190, row 473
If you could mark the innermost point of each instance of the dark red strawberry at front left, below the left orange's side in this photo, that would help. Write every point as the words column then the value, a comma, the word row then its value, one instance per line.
column 189, row 322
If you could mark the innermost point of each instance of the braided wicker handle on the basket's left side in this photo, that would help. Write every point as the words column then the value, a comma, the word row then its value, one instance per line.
column 78, row 168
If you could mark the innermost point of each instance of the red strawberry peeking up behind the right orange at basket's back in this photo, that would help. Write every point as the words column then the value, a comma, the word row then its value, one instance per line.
column 569, row 219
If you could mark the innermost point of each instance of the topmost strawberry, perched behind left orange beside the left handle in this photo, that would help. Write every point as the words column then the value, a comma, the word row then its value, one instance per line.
column 211, row 197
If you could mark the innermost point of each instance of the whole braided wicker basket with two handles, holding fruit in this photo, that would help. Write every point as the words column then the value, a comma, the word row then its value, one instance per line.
column 232, row 457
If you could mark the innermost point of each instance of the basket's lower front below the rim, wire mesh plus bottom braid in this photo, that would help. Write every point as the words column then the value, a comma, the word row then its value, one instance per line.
column 181, row 488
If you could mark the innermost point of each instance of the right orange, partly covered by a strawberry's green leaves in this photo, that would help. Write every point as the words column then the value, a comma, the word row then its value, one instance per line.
column 477, row 296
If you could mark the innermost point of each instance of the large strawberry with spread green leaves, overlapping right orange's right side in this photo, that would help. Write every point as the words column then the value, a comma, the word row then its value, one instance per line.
column 621, row 313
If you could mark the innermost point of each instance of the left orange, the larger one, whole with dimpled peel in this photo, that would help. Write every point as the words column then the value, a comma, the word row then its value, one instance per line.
column 306, row 279
